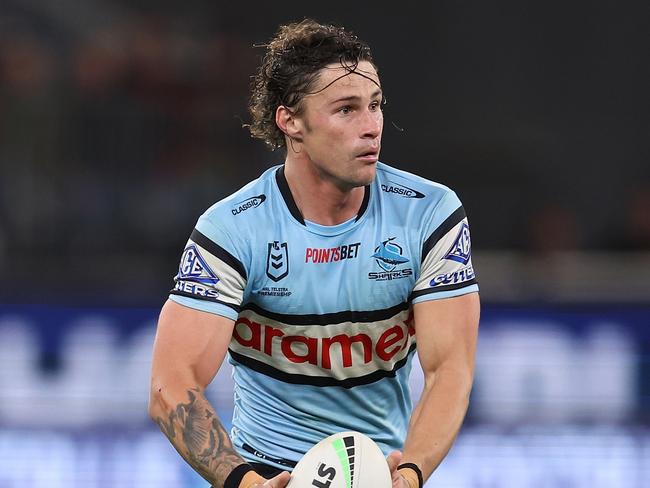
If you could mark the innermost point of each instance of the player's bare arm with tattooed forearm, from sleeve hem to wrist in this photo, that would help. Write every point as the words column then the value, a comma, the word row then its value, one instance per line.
column 189, row 348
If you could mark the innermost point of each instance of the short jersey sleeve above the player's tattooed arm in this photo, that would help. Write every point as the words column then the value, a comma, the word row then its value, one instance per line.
column 210, row 275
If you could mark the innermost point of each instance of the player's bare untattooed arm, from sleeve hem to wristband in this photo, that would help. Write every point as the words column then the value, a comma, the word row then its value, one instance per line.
column 446, row 332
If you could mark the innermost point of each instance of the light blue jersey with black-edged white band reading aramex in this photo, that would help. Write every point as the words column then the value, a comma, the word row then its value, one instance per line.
column 324, row 333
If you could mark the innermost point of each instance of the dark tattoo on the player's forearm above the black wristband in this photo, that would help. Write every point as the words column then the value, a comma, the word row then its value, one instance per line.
column 195, row 431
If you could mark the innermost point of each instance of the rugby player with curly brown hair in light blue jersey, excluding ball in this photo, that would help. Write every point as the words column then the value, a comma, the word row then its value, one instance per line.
column 316, row 280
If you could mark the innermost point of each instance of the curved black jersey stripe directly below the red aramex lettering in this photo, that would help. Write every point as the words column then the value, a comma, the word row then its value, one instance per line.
column 303, row 379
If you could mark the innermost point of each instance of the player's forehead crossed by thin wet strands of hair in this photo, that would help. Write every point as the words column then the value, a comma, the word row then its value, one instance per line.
column 335, row 78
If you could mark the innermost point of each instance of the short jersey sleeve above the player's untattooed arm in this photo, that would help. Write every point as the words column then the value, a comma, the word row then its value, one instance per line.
column 446, row 268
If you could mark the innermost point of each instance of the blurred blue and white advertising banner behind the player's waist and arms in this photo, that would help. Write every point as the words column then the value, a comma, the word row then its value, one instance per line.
column 560, row 399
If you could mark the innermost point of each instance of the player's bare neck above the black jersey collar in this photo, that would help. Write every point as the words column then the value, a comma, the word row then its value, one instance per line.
column 321, row 198
